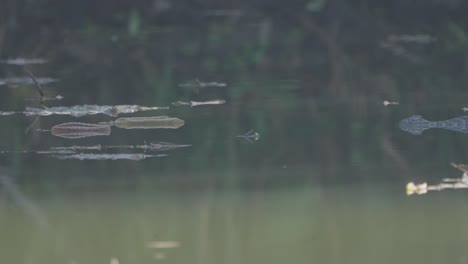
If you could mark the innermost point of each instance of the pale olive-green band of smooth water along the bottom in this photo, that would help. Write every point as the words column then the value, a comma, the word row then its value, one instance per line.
column 348, row 224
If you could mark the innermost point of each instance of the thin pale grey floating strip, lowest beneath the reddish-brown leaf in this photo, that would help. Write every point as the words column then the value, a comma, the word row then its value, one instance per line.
column 106, row 156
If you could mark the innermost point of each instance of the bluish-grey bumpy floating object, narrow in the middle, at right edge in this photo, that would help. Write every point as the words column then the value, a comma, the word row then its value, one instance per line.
column 416, row 125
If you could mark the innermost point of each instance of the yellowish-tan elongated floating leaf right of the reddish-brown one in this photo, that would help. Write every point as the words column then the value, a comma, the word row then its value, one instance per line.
column 152, row 122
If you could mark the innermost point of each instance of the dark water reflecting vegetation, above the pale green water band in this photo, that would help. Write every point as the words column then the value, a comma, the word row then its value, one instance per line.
column 323, row 82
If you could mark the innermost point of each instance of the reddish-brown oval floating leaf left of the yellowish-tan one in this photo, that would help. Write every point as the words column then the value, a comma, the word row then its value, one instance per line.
column 73, row 130
